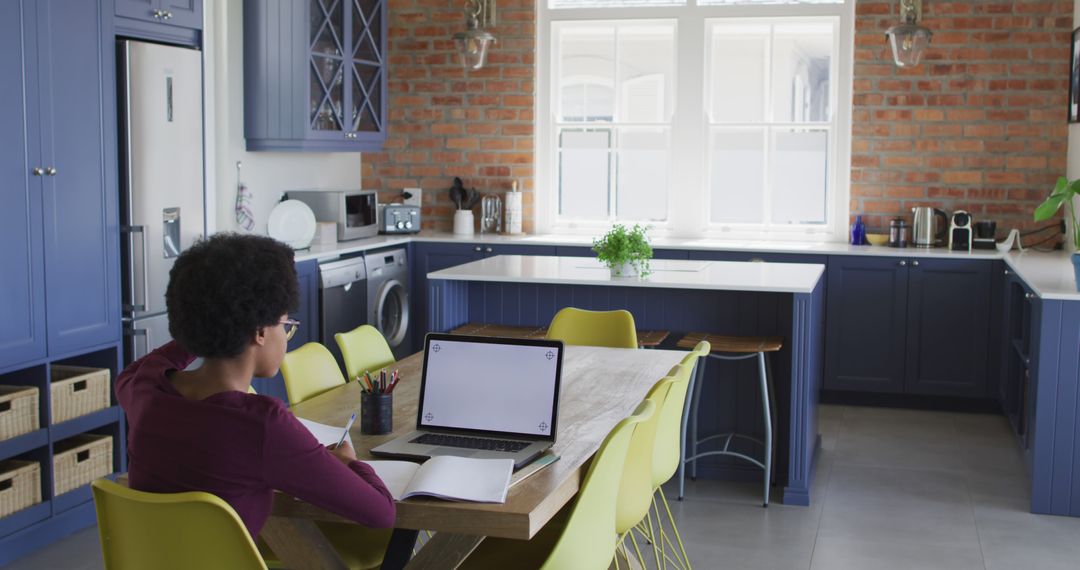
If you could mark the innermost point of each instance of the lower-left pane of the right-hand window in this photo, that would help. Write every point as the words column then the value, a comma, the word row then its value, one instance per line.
column 737, row 175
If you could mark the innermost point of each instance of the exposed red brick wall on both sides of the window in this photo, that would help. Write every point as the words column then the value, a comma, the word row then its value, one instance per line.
column 979, row 126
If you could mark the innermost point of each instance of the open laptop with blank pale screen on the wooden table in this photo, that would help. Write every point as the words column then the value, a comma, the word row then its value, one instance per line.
column 484, row 398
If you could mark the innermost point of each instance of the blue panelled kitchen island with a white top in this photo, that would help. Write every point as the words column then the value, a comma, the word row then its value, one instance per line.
column 681, row 296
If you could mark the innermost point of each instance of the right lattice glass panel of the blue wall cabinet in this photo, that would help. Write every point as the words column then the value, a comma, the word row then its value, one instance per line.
column 369, row 72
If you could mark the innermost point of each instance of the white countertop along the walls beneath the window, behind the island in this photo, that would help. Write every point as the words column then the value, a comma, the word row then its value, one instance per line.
column 1049, row 275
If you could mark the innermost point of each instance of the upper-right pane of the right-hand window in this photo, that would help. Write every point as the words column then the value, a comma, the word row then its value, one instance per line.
column 802, row 59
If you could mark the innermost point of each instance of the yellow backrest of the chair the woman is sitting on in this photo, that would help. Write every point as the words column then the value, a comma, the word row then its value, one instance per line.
column 171, row 532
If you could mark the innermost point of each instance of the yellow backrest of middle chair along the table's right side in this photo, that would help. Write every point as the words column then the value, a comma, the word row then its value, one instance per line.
column 636, row 488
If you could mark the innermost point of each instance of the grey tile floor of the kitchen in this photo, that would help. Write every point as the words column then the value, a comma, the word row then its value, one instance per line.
column 895, row 490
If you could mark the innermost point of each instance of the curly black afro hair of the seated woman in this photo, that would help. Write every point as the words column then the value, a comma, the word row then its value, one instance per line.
column 224, row 289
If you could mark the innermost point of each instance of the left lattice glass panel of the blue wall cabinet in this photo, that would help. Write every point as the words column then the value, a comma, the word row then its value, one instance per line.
column 327, row 74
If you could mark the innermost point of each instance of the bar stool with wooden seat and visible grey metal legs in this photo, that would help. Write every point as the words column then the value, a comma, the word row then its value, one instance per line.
column 726, row 348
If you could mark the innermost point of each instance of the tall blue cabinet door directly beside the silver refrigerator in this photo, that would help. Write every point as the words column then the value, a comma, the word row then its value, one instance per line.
column 72, row 101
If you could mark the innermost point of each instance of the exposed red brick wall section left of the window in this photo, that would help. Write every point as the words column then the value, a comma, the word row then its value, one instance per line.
column 445, row 121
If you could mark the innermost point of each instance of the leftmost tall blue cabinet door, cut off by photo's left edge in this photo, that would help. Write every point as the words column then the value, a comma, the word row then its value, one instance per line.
column 22, row 287
